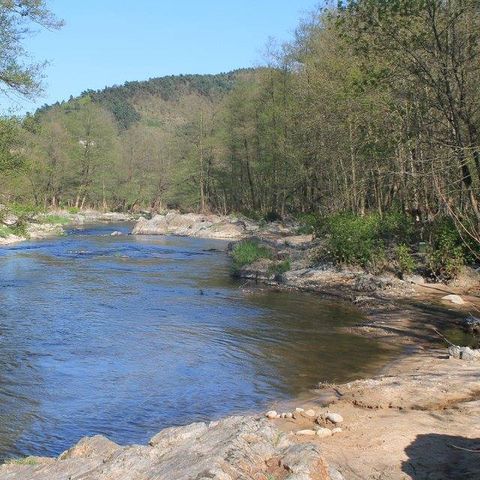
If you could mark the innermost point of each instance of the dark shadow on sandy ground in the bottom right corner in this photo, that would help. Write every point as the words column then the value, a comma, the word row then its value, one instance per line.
column 443, row 457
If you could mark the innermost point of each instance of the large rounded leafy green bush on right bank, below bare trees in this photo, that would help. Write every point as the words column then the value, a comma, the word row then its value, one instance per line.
column 354, row 240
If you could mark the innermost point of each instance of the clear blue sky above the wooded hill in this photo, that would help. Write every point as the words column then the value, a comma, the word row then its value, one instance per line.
column 107, row 42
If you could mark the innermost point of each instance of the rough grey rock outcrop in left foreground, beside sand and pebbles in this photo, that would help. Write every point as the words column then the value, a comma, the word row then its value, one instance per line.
column 236, row 448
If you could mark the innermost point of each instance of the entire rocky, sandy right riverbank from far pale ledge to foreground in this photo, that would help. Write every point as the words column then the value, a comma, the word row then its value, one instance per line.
column 418, row 419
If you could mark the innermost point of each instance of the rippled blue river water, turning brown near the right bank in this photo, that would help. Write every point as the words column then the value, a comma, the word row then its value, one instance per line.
column 125, row 335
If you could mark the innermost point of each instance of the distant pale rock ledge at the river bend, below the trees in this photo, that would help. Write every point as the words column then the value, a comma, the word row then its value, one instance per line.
column 194, row 225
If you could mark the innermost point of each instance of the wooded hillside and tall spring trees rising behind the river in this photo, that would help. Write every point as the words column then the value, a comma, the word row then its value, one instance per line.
column 374, row 106
